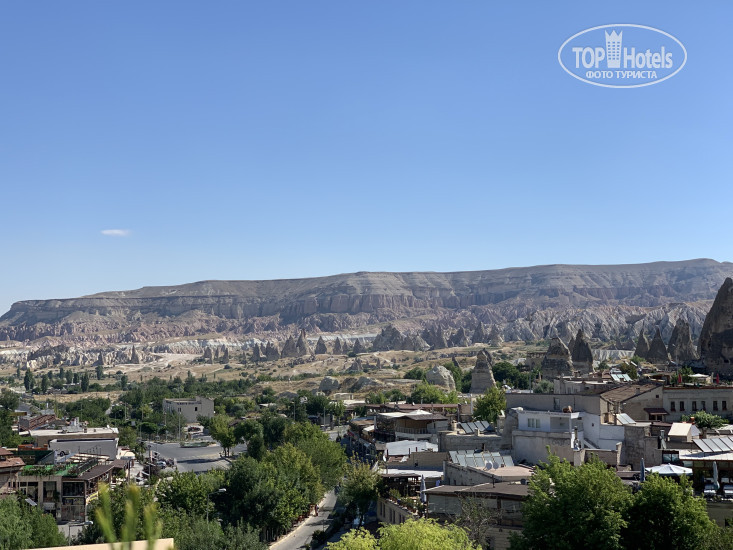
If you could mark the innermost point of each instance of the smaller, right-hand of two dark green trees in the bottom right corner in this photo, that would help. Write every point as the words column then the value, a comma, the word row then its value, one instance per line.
column 665, row 514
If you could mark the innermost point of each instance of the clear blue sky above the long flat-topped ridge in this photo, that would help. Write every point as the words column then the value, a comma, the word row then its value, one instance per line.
column 278, row 139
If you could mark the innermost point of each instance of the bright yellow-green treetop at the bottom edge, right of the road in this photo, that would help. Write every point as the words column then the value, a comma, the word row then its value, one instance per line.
column 424, row 534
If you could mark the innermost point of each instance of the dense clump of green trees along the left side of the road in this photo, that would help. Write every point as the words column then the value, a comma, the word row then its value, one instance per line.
column 287, row 469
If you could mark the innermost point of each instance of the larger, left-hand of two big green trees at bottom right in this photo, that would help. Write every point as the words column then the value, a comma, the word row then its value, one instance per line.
column 574, row 508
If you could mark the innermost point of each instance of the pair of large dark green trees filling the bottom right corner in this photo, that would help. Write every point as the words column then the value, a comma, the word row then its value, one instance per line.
column 590, row 507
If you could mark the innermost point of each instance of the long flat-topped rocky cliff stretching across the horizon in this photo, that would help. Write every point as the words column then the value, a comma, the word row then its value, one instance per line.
column 607, row 302
